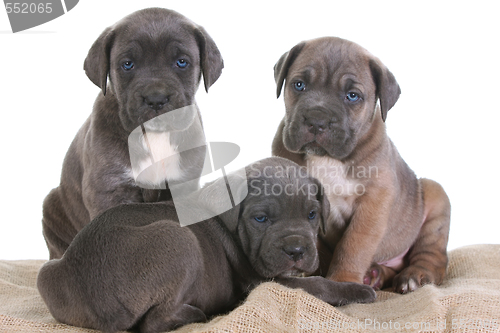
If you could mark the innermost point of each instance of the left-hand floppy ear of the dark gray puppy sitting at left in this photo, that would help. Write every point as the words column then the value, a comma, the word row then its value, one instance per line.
column 96, row 64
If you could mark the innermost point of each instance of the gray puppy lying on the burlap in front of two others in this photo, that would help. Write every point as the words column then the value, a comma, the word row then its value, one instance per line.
column 135, row 267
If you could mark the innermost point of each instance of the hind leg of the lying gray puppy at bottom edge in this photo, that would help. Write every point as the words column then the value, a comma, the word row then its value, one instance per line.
column 163, row 318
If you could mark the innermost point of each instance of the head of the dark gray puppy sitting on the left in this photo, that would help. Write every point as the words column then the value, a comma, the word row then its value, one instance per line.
column 154, row 59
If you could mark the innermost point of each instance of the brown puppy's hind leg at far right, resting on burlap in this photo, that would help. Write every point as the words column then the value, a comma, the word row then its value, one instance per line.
column 428, row 257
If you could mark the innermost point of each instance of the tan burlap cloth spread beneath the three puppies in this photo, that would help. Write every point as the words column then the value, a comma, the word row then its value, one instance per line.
column 467, row 301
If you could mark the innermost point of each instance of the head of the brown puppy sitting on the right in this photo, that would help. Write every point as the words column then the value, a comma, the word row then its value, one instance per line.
column 331, row 87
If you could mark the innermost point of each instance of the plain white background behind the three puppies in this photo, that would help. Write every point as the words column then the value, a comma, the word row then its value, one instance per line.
column 444, row 54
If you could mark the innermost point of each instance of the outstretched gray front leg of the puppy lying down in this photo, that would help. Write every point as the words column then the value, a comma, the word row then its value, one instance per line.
column 334, row 293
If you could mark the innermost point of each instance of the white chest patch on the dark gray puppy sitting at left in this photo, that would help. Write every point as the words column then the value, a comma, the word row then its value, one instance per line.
column 163, row 163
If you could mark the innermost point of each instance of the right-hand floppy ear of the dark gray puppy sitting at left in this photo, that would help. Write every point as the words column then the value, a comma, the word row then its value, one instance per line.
column 210, row 57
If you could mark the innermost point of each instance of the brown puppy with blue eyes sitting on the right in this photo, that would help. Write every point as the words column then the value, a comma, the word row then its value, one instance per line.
column 384, row 221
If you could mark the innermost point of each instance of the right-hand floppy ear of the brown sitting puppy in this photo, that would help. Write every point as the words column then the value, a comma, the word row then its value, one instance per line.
column 388, row 90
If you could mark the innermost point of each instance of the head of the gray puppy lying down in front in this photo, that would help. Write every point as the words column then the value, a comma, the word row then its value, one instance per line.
column 277, row 222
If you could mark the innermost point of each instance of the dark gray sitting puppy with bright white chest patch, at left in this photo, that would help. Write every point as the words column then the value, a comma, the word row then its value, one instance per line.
column 154, row 59
